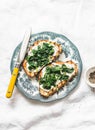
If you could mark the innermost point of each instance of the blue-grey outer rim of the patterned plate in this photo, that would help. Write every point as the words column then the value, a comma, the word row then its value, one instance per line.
column 81, row 67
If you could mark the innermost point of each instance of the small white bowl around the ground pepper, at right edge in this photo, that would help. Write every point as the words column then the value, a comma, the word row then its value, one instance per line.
column 90, row 70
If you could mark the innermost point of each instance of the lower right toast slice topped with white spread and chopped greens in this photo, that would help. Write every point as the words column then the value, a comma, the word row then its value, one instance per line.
column 55, row 76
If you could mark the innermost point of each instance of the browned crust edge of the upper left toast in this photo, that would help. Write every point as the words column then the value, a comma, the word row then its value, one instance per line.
column 24, row 64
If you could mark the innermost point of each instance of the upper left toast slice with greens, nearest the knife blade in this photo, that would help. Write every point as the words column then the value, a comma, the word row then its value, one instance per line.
column 41, row 53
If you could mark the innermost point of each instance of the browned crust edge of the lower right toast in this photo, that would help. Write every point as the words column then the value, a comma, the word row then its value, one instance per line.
column 46, row 93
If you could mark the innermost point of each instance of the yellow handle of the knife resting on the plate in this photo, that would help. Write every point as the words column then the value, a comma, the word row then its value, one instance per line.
column 12, row 82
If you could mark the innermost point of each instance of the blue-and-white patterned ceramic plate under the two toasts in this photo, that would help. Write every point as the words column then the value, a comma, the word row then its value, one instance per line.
column 30, row 87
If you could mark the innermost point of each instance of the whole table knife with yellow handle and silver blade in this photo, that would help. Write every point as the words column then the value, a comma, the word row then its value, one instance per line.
column 19, row 61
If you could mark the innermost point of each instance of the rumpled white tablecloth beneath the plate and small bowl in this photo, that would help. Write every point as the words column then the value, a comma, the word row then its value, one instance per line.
column 76, row 20
